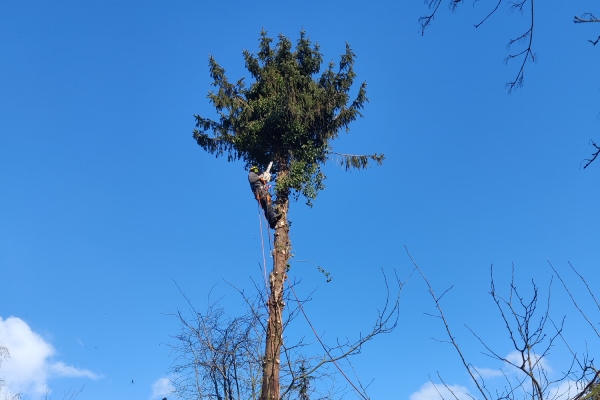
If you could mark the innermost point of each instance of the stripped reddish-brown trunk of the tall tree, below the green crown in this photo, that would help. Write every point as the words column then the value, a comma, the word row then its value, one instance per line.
column 274, row 340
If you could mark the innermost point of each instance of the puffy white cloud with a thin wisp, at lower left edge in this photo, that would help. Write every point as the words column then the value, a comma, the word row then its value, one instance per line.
column 30, row 364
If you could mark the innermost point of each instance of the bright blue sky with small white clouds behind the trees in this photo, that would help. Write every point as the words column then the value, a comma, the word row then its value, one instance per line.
column 107, row 201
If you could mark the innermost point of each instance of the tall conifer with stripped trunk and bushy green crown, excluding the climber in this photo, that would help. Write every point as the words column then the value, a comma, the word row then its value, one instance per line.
column 290, row 116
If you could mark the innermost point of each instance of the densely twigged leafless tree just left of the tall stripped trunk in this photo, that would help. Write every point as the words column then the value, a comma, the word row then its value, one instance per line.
column 217, row 356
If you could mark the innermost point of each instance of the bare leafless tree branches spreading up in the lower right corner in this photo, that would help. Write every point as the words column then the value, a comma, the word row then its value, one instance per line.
column 532, row 334
